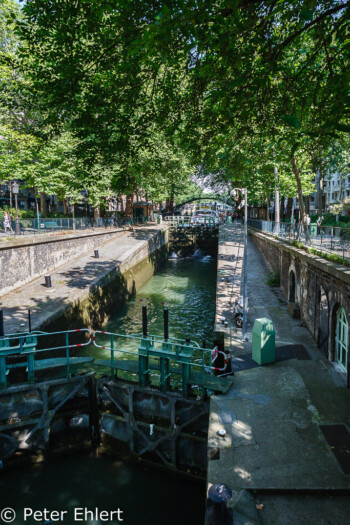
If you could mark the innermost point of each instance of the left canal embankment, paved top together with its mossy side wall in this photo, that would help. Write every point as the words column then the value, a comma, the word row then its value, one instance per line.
column 86, row 290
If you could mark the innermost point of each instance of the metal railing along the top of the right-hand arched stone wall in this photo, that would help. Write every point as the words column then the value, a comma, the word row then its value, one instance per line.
column 328, row 239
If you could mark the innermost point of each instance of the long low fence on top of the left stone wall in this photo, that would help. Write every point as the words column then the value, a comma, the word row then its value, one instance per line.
column 33, row 226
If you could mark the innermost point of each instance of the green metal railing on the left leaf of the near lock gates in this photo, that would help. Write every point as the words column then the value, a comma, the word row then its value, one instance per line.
column 21, row 350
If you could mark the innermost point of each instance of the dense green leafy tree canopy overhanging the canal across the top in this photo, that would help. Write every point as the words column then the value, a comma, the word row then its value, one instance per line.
column 149, row 90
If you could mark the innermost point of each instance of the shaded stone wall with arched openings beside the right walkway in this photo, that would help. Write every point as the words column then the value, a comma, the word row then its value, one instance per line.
column 315, row 288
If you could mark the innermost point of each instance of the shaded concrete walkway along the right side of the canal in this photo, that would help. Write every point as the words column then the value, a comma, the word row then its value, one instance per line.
column 273, row 414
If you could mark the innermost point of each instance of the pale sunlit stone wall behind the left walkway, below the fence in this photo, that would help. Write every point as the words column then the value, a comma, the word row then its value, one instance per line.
column 24, row 259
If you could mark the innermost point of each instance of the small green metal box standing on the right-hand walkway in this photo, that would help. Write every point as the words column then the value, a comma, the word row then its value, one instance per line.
column 263, row 342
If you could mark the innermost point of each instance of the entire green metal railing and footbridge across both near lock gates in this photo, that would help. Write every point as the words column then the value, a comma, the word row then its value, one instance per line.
column 175, row 362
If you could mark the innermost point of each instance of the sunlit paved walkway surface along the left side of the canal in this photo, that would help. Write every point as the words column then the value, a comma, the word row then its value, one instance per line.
column 72, row 281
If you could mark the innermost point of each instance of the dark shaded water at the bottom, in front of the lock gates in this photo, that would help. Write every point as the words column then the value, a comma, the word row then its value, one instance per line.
column 146, row 496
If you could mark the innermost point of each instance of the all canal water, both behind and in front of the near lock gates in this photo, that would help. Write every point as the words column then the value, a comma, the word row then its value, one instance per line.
column 146, row 496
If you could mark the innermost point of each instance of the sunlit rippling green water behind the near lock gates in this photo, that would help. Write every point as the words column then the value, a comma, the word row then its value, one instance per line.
column 188, row 287
